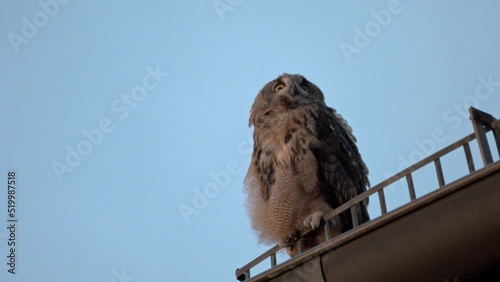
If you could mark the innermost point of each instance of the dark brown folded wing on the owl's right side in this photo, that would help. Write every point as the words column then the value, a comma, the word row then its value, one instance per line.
column 340, row 165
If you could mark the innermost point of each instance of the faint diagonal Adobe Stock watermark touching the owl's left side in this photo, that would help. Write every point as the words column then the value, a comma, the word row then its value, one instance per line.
column 218, row 180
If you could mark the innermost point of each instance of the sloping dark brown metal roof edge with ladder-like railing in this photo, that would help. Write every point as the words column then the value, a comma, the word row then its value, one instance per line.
column 444, row 235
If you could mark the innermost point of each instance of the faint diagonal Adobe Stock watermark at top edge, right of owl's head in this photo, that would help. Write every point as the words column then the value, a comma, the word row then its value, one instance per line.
column 371, row 29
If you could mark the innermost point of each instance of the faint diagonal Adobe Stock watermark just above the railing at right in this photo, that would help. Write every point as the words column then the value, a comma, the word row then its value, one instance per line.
column 455, row 115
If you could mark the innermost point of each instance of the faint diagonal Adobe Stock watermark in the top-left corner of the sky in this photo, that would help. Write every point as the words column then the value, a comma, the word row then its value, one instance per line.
column 31, row 27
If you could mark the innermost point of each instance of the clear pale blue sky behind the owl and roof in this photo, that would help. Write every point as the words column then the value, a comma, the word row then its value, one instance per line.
column 70, row 67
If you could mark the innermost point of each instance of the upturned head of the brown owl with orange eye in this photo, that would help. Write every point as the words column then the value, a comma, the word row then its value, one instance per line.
column 285, row 93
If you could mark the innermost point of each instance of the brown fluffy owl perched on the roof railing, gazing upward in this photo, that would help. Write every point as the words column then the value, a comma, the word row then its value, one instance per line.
column 304, row 164
